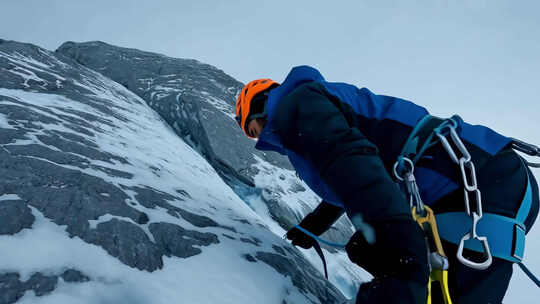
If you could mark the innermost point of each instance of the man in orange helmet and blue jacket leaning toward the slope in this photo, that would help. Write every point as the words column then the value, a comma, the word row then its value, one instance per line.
column 344, row 142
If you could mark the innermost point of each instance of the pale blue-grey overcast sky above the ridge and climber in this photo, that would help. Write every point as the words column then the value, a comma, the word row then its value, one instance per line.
column 477, row 58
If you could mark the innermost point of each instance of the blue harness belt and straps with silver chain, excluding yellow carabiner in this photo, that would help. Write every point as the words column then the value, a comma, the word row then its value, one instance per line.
column 508, row 240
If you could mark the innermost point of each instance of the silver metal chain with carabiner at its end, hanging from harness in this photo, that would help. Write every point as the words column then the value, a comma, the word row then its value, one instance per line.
column 470, row 188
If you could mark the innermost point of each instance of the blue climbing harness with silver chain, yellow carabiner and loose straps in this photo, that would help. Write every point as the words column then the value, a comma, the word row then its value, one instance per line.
column 510, row 241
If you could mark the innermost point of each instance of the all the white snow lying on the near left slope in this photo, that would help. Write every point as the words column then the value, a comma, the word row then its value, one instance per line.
column 219, row 274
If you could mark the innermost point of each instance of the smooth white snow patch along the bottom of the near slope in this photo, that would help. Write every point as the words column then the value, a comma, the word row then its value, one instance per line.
column 228, row 280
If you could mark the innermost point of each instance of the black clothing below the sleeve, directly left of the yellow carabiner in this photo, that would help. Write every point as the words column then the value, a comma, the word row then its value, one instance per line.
column 398, row 260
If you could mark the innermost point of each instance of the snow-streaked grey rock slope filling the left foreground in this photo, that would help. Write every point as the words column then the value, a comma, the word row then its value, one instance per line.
column 102, row 202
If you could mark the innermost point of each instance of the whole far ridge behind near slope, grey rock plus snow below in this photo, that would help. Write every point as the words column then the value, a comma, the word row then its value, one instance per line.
column 197, row 101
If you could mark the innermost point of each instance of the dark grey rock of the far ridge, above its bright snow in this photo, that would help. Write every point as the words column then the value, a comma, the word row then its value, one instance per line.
column 196, row 99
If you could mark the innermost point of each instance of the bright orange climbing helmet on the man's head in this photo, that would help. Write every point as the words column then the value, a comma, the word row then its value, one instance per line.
column 244, row 110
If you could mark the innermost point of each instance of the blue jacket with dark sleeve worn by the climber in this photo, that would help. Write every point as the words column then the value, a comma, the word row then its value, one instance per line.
column 332, row 131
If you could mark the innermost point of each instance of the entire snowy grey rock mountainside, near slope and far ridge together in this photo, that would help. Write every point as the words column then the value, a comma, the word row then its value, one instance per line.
column 102, row 198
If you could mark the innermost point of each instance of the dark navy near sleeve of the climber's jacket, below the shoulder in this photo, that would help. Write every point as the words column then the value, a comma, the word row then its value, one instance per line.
column 310, row 122
